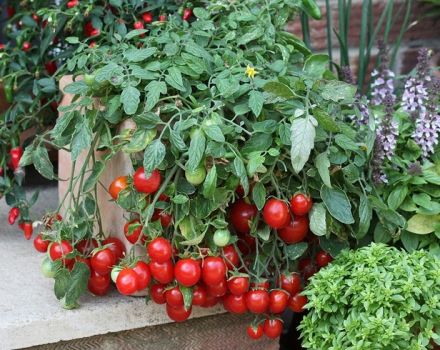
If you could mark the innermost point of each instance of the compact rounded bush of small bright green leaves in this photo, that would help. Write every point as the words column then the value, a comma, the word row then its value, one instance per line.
column 377, row 297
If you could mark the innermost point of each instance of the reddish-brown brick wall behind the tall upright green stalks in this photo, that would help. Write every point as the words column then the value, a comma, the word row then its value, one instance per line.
column 423, row 32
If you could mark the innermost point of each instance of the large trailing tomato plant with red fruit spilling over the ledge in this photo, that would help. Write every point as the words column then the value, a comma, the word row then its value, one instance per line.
column 247, row 178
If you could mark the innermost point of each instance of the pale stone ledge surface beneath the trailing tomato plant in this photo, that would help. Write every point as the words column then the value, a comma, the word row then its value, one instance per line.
column 30, row 313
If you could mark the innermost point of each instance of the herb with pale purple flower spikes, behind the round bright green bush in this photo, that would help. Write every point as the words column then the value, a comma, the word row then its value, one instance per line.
column 406, row 162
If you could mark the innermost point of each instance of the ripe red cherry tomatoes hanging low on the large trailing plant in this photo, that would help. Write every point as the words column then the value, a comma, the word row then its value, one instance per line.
column 181, row 282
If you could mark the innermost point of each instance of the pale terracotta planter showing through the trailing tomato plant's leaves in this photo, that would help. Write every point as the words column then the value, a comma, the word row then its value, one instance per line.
column 112, row 215
